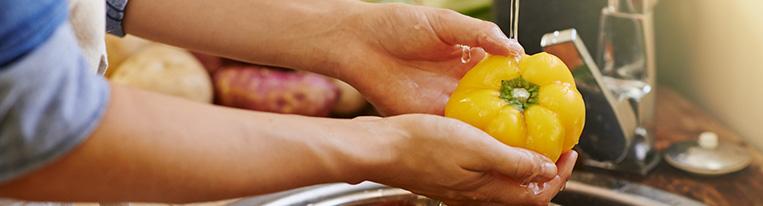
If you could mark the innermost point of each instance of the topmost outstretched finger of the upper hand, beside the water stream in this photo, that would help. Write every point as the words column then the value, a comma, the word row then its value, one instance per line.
column 454, row 28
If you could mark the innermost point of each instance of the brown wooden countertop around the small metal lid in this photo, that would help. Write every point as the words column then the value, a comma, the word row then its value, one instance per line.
column 677, row 120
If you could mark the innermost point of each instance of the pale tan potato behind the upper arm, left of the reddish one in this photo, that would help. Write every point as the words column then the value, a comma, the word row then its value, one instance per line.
column 166, row 70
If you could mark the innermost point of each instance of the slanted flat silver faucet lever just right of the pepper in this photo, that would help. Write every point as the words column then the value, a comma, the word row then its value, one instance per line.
column 610, row 122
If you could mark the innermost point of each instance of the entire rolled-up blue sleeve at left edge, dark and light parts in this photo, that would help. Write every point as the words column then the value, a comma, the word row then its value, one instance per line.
column 50, row 101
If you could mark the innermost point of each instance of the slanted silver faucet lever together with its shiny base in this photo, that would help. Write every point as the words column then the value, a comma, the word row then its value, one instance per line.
column 615, row 136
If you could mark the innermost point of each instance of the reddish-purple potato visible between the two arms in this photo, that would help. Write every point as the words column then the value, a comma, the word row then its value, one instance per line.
column 265, row 89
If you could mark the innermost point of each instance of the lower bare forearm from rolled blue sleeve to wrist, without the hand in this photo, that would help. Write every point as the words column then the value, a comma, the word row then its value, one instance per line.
column 154, row 148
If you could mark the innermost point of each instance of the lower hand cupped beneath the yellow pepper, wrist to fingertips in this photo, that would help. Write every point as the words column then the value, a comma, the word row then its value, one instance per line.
column 448, row 160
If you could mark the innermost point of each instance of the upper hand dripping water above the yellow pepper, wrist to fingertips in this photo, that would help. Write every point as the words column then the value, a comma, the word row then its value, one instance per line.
column 406, row 59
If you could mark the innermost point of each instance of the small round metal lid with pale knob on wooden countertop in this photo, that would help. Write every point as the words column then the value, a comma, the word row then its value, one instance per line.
column 708, row 156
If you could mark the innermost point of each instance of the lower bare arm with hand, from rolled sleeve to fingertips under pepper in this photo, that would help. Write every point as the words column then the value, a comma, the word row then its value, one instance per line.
column 153, row 148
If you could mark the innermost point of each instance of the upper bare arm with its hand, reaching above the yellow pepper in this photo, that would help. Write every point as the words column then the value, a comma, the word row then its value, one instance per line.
column 410, row 50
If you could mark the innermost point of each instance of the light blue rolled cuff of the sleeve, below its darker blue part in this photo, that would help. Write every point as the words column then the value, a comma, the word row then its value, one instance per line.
column 51, row 101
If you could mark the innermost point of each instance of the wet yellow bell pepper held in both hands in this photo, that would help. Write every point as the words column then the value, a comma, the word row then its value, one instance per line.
column 530, row 103
